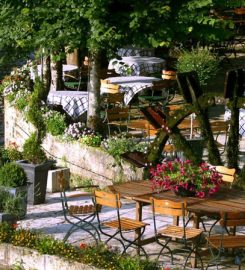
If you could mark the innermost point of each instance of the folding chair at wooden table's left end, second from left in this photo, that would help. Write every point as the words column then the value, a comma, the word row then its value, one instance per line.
column 121, row 225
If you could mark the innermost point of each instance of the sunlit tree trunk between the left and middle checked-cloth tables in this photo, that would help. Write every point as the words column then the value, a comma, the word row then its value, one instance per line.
column 93, row 117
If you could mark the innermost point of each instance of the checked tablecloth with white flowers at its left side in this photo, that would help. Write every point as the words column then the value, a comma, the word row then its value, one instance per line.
column 136, row 65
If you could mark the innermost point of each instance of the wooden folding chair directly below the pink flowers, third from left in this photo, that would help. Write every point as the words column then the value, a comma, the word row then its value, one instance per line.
column 188, row 237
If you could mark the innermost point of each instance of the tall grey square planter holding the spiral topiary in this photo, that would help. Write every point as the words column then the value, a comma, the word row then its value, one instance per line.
column 37, row 176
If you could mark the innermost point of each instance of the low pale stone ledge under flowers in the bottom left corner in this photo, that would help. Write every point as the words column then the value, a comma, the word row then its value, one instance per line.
column 31, row 259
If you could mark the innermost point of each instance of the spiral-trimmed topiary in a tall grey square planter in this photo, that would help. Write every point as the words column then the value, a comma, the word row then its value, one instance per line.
column 35, row 163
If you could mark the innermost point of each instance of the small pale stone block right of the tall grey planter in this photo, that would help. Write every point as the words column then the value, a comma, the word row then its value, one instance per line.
column 53, row 184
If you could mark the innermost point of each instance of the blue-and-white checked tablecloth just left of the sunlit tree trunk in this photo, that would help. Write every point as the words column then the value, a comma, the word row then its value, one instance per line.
column 75, row 103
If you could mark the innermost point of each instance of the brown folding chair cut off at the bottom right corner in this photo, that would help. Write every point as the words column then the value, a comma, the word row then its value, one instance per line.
column 219, row 244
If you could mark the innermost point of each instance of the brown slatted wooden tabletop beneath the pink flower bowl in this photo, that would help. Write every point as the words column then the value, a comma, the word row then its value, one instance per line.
column 225, row 200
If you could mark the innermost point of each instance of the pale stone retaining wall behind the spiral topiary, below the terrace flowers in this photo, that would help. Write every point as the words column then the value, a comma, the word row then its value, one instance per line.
column 89, row 162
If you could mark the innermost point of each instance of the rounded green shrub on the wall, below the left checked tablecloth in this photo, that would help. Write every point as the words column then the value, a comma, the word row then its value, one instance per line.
column 55, row 122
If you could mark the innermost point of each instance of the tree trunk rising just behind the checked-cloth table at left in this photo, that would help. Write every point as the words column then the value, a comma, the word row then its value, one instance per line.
column 56, row 75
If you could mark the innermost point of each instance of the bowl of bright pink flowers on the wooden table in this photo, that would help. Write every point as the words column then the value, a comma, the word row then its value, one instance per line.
column 185, row 178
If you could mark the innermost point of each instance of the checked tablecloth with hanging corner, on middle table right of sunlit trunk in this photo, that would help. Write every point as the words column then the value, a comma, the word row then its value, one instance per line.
column 131, row 85
